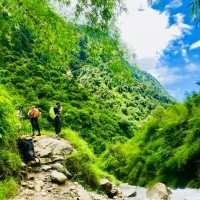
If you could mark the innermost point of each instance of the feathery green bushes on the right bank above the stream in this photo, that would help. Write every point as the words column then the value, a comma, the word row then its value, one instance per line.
column 166, row 149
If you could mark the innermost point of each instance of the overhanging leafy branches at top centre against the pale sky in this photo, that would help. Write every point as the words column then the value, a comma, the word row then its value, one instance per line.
column 99, row 14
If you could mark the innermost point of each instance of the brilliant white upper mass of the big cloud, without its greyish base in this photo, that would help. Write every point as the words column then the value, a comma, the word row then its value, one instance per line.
column 148, row 31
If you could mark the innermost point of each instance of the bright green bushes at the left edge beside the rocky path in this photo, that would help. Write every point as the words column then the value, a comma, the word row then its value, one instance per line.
column 9, row 158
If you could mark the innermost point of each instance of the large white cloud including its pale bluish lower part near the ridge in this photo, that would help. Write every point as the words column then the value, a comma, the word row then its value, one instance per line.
column 149, row 33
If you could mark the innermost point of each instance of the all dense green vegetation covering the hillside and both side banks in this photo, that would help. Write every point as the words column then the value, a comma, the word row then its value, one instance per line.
column 45, row 59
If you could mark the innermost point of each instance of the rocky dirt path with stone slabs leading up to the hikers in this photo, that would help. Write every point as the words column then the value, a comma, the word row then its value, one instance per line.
column 50, row 180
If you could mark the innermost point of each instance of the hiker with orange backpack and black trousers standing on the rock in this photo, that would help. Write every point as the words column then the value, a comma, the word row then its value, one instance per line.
column 34, row 113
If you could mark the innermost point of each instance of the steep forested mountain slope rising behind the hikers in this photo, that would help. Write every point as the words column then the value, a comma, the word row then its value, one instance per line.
column 45, row 59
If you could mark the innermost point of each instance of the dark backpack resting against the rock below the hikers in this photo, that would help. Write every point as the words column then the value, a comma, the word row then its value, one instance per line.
column 26, row 149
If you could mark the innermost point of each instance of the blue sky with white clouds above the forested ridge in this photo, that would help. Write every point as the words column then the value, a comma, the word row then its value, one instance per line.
column 166, row 42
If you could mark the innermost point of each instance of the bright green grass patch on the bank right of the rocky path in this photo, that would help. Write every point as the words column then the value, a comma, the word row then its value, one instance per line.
column 83, row 163
